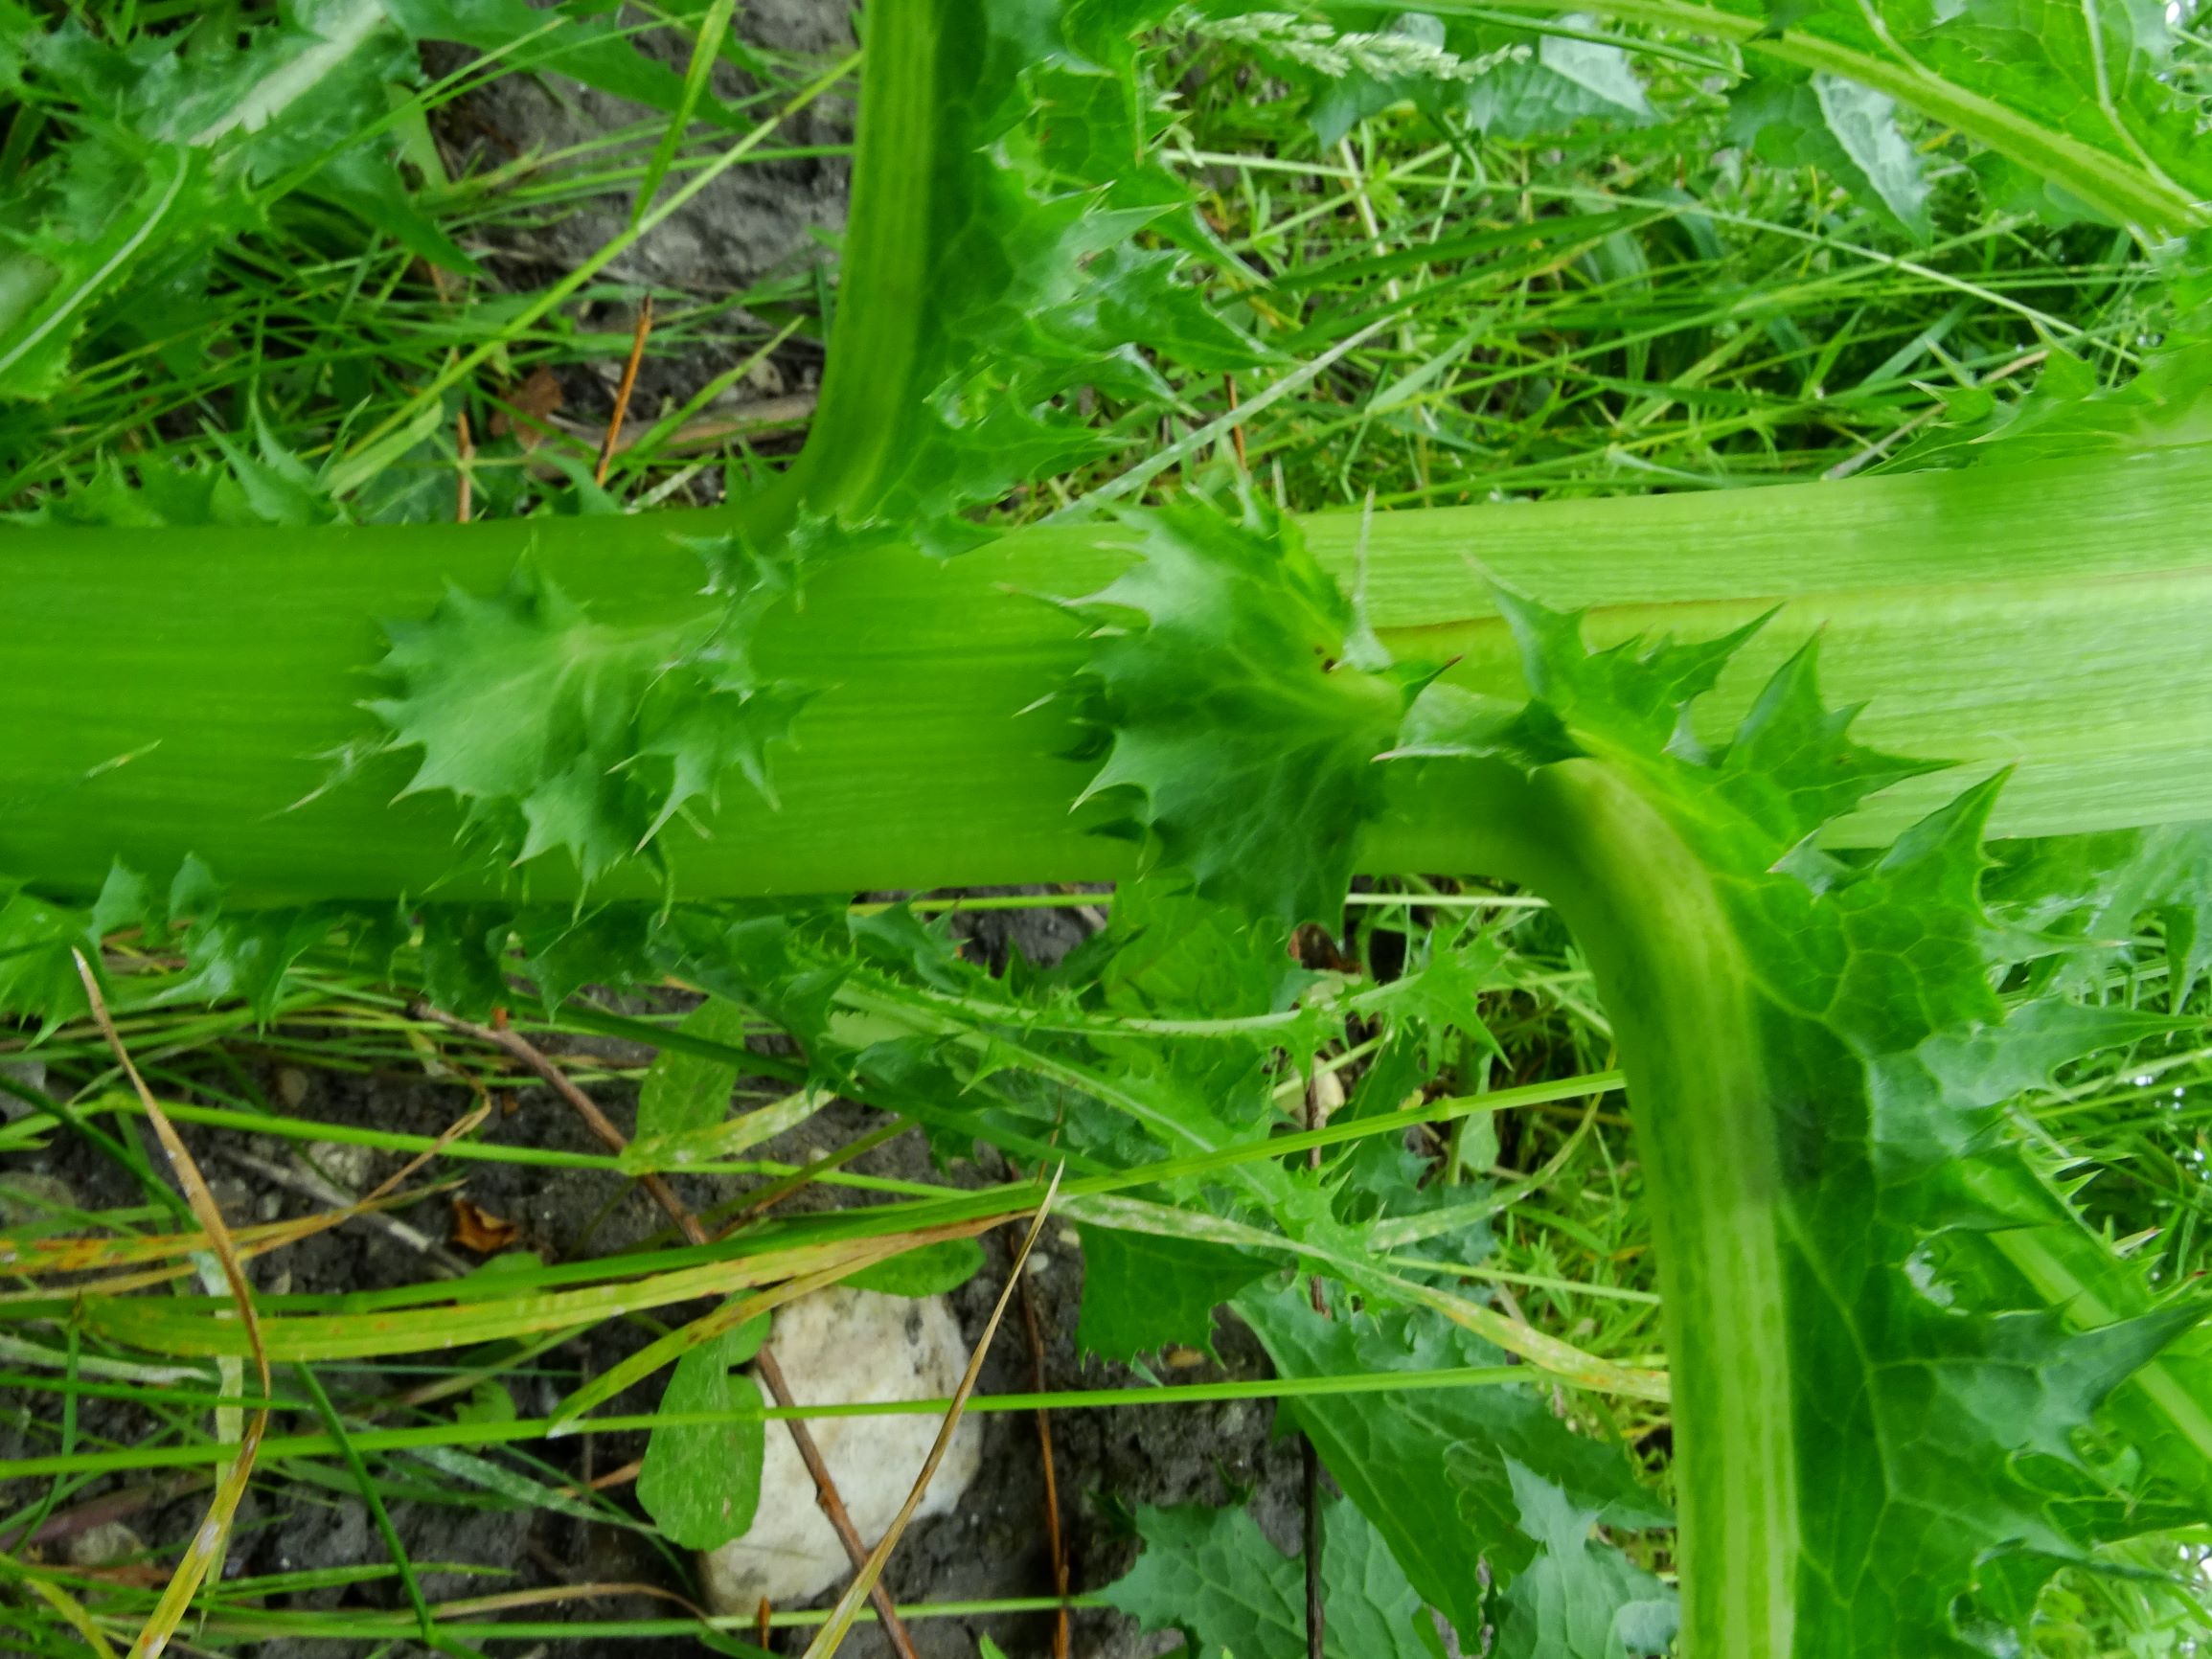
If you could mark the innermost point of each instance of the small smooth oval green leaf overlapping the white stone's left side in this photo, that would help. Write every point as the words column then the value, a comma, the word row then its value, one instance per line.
column 702, row 1483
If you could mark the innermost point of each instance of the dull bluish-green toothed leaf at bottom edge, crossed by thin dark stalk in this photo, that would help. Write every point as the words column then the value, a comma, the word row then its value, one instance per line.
column 1213, row 1576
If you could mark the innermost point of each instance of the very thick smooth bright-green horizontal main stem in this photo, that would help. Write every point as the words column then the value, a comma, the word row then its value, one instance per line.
column 2045, row 618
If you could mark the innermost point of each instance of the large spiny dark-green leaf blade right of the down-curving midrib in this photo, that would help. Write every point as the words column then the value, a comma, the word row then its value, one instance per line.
column 1884, row 1058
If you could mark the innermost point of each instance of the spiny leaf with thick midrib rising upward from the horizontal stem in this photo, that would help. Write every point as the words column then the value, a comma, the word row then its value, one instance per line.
column 1054, row 253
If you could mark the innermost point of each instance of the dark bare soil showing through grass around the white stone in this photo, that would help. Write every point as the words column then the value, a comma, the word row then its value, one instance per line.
column 990, row 1550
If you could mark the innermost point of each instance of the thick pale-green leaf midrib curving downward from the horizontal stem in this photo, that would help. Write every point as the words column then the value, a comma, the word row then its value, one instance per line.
column 1680, row 1001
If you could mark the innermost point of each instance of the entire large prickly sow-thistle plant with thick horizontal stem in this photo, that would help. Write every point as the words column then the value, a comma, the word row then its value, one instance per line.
column 1841, row 789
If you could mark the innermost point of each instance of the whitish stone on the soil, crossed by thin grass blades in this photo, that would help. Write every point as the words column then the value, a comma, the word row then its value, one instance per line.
column 848, row 1346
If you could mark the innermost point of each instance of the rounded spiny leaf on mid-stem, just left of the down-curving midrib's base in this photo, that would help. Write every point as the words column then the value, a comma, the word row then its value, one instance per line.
column 1242, row 731
